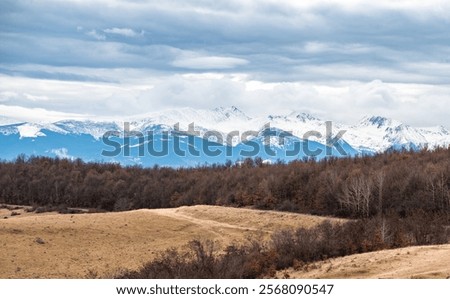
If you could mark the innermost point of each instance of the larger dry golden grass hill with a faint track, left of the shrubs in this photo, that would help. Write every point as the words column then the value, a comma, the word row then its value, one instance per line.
column 51, row 245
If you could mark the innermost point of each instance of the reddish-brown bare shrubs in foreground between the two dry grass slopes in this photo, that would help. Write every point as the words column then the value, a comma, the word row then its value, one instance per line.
column 292, row 248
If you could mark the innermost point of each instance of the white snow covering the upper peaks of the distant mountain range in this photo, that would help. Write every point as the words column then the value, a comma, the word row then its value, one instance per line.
column 372, row 134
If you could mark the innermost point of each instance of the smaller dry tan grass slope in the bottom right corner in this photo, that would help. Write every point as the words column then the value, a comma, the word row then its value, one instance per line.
column 409, row 262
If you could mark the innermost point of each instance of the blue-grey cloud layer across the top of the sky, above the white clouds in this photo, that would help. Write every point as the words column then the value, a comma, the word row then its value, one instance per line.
column 274, row 39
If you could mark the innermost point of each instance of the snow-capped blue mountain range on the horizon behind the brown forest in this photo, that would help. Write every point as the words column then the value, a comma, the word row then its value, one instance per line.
column 216, row 135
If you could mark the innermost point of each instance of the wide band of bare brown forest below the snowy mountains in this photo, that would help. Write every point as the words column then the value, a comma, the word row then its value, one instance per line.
column 399, row 183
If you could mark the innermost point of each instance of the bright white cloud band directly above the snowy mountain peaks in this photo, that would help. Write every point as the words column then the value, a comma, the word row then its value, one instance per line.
column 344, row 101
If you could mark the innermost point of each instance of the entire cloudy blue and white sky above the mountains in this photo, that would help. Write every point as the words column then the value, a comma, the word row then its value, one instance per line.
column 338, row 60
